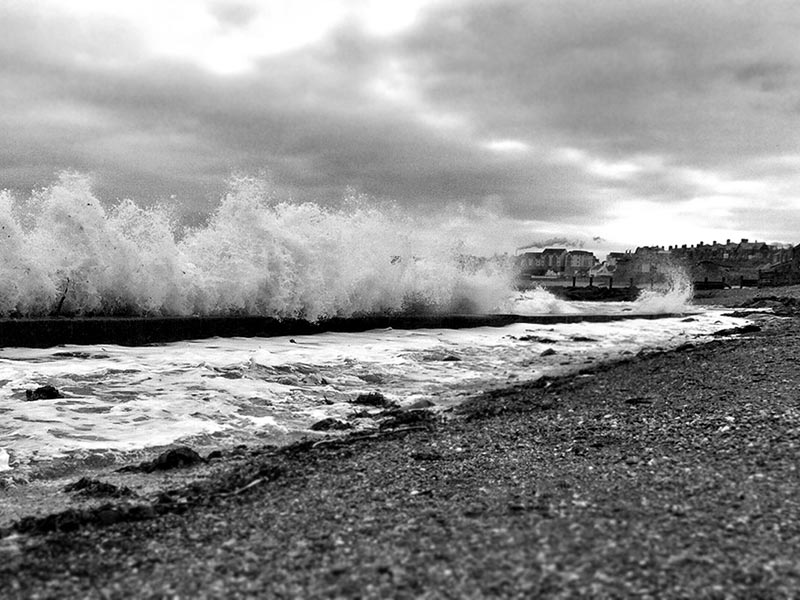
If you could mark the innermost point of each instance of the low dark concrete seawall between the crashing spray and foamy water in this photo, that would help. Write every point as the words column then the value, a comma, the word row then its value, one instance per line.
column 135, row 331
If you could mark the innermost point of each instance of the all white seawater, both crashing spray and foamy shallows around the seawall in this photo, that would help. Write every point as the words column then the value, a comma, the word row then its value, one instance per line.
column 66, row 252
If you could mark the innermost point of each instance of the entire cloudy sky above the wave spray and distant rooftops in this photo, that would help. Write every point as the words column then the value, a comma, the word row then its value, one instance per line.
column 612, row 124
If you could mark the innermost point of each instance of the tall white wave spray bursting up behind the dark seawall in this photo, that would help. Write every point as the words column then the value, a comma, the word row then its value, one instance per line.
column 65, row 253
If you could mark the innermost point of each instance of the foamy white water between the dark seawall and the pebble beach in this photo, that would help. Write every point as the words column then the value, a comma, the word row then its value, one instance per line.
column 124, row 398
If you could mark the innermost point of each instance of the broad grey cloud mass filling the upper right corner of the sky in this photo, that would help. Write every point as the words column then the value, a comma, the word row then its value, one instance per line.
column 662, row 77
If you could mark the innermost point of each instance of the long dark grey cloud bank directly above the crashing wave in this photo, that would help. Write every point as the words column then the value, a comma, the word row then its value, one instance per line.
column 306, row 117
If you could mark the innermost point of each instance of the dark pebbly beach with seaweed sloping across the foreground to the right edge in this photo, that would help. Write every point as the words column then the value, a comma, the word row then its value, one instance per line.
column 669, row 475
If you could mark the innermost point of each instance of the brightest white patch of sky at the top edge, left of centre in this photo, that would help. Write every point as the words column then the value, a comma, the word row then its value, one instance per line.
column 228, row 38
